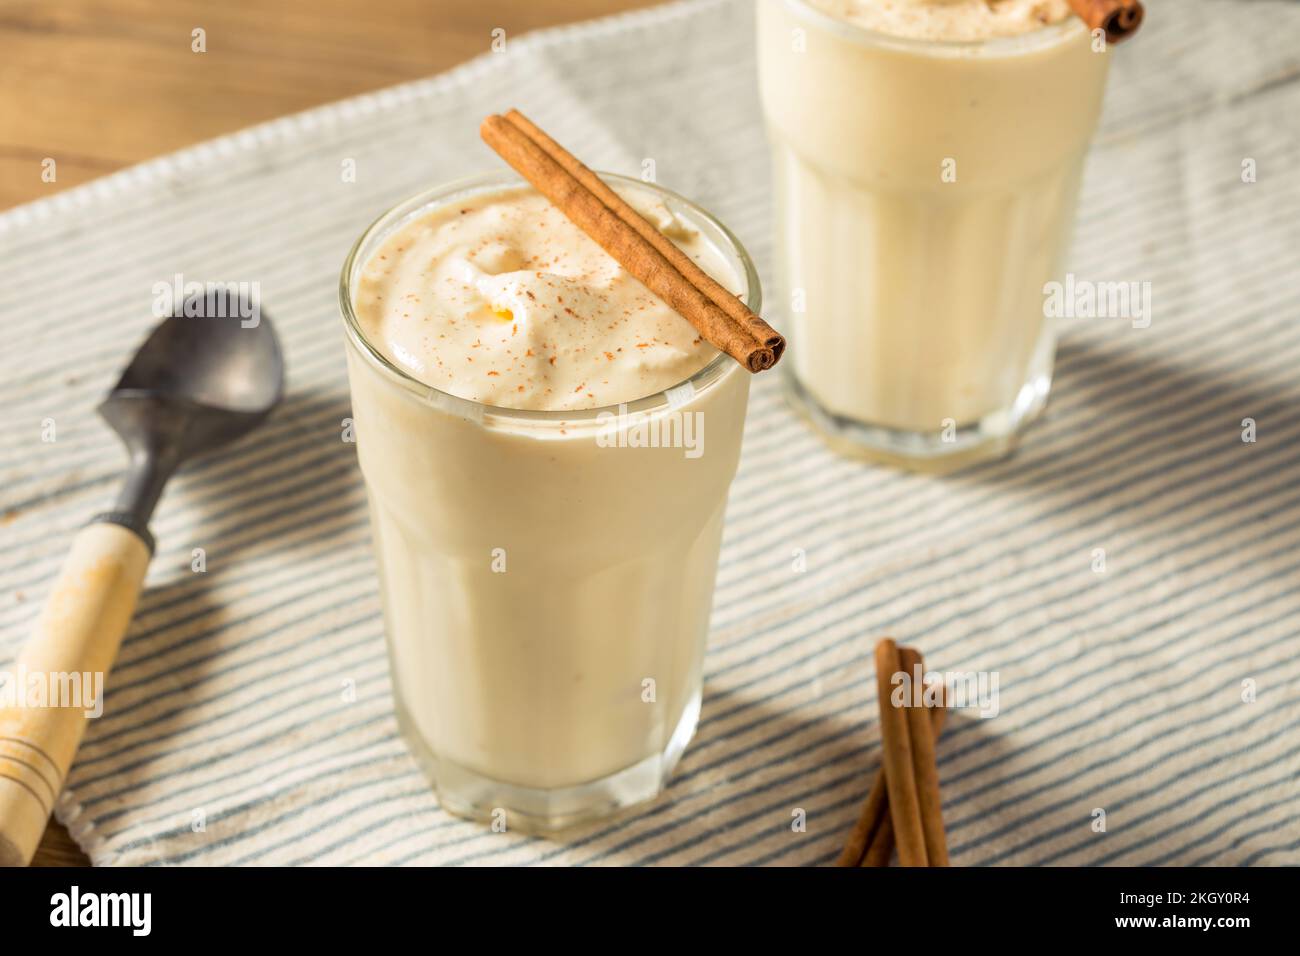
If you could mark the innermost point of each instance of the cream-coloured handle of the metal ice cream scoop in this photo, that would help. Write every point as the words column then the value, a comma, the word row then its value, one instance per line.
column 64, row 664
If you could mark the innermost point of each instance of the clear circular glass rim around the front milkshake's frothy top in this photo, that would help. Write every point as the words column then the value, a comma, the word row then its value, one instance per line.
column 405, row 211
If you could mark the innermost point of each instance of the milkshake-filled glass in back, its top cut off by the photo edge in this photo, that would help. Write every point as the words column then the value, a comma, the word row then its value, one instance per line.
column 928, row 158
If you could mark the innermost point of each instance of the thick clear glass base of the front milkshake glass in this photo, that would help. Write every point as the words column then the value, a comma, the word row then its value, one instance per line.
column 475, row 797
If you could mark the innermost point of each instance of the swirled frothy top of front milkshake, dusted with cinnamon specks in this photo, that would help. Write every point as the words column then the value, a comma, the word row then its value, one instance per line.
column 512, row 271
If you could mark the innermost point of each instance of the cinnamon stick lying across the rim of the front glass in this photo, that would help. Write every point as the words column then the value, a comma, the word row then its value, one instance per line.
column 592, row 206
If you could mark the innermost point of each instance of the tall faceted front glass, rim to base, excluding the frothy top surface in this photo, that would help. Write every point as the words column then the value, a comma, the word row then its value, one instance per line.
column 547, row 576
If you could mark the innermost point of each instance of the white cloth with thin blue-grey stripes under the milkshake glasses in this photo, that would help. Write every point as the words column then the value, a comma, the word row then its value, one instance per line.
column 1132, row 576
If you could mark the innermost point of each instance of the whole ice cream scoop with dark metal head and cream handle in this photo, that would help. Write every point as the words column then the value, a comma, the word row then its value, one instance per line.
column 203, row 378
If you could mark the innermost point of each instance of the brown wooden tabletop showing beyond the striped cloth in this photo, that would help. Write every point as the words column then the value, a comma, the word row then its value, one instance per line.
column 98, row 85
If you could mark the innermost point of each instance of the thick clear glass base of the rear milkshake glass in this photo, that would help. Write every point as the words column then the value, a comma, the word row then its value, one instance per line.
column 991, row 438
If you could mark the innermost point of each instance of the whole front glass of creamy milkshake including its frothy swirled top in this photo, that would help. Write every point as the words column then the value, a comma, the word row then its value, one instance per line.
column 548, row 449
